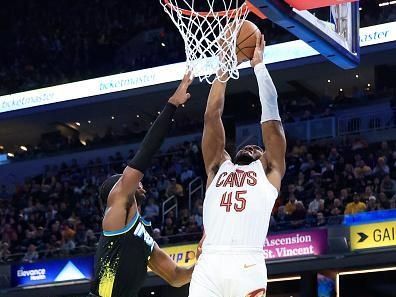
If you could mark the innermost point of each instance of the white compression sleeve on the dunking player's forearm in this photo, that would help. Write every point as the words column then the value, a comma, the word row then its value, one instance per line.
column 268, row 94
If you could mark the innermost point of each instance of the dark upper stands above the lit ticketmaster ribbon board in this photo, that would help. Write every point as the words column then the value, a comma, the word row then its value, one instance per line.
column 47, row 43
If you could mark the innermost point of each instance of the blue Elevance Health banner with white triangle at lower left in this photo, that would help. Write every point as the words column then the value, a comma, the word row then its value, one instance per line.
column 44, row 272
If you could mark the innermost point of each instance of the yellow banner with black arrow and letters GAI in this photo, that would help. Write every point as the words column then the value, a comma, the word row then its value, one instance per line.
column 376, row 235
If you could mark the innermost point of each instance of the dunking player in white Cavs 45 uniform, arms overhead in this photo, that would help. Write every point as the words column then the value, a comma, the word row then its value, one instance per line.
column 240, row 196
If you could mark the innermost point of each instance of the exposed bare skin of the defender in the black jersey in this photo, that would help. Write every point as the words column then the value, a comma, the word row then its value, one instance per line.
column 122, row 207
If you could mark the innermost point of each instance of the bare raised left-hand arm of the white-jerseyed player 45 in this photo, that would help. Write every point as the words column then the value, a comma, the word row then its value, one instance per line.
column 213, row 138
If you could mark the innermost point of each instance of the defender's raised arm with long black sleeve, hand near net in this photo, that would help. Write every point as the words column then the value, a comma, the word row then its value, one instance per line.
column 121, row 197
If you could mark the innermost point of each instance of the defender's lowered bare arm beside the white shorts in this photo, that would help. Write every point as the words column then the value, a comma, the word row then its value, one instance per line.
column 161, row 264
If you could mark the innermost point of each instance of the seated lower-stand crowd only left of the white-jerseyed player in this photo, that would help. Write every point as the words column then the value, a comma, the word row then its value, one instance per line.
column 57, row 213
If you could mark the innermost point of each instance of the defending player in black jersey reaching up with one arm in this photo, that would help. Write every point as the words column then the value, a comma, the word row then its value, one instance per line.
column 125, row 247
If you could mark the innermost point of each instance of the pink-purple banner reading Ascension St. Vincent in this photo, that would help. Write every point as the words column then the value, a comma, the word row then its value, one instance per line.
column 296, row 244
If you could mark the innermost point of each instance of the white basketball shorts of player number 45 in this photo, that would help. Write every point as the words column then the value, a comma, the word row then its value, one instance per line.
column 228, row 274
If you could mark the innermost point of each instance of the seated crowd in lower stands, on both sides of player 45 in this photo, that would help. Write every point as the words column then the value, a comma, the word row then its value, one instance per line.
column 57, row 213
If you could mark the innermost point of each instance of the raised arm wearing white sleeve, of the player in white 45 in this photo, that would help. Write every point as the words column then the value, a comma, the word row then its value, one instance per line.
column 271, row 126
